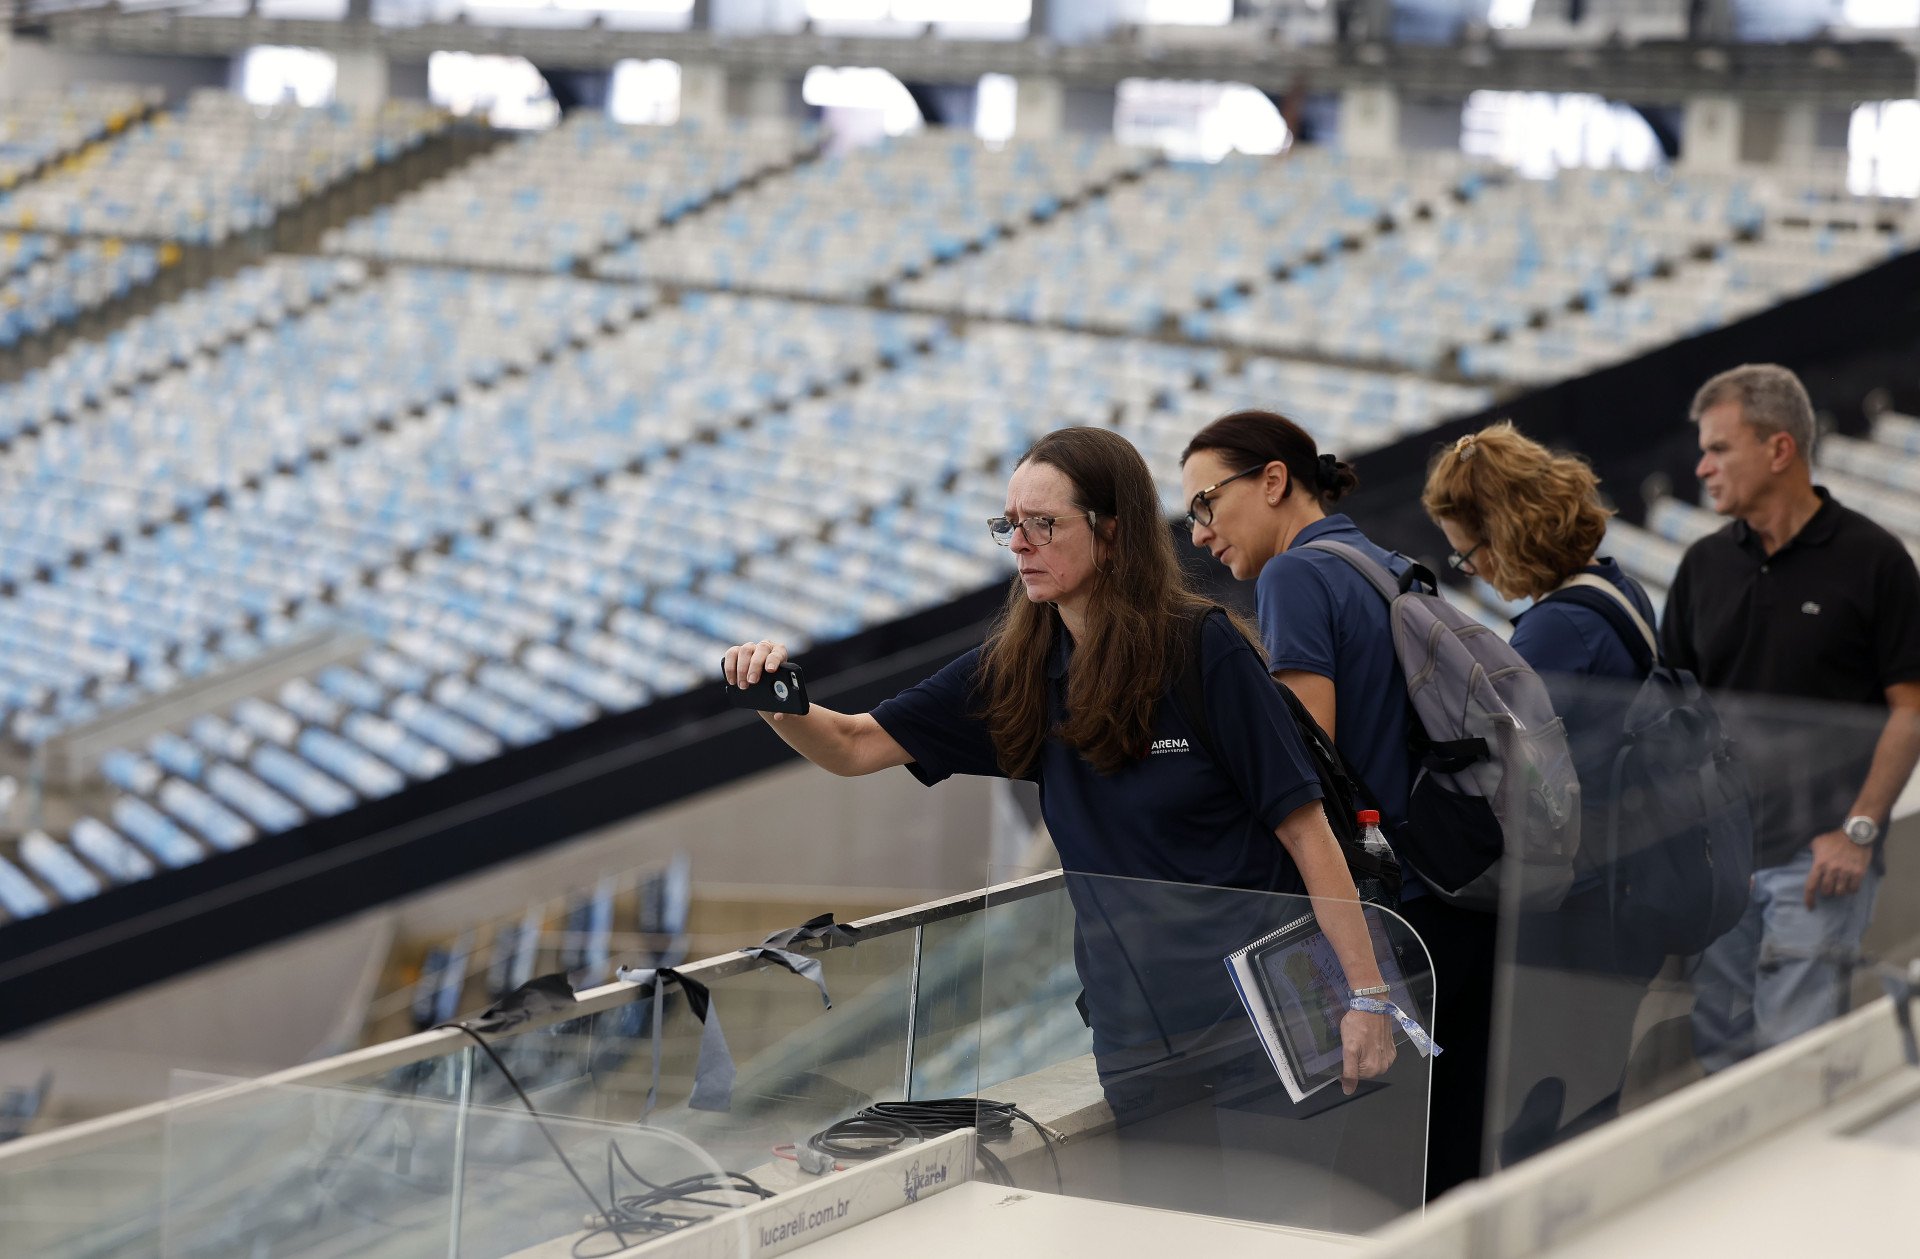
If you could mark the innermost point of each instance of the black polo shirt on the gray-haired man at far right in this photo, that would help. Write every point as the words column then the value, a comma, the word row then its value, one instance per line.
column 1800, row 650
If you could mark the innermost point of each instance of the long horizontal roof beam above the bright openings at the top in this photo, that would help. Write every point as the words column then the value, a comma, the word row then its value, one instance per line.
column 1643, row 74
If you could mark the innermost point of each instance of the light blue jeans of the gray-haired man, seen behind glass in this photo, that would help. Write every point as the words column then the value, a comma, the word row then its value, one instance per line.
column 1783, row 970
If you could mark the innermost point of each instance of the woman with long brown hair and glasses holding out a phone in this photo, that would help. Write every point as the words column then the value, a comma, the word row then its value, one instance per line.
column 1074, row 690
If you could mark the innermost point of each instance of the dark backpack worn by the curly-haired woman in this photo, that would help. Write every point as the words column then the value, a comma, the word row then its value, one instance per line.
column 1675, row 796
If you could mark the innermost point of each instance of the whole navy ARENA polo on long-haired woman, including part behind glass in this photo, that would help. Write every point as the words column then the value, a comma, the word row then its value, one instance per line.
column 1149, row 945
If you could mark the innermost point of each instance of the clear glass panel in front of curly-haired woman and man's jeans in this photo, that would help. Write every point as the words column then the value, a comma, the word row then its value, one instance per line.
column 1685, row 941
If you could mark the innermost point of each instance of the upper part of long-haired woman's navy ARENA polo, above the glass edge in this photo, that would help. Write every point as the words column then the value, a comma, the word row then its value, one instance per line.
column 1174, row 817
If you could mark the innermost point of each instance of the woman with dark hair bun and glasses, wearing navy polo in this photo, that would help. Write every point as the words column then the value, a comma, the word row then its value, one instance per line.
column 1259, row 490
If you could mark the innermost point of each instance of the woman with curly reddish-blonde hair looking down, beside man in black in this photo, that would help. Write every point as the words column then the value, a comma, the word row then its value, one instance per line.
column 1531, row 525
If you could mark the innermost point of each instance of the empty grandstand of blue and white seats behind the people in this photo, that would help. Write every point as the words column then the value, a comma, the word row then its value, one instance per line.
column 479, row 490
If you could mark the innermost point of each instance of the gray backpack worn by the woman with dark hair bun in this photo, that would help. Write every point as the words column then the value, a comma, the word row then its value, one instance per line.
column 1495, row 815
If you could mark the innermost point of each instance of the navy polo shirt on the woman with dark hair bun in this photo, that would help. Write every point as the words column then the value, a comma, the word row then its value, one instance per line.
column 1320, row 615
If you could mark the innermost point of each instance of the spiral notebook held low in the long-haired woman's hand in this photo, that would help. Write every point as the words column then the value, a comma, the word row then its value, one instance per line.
column 1295, row 993
